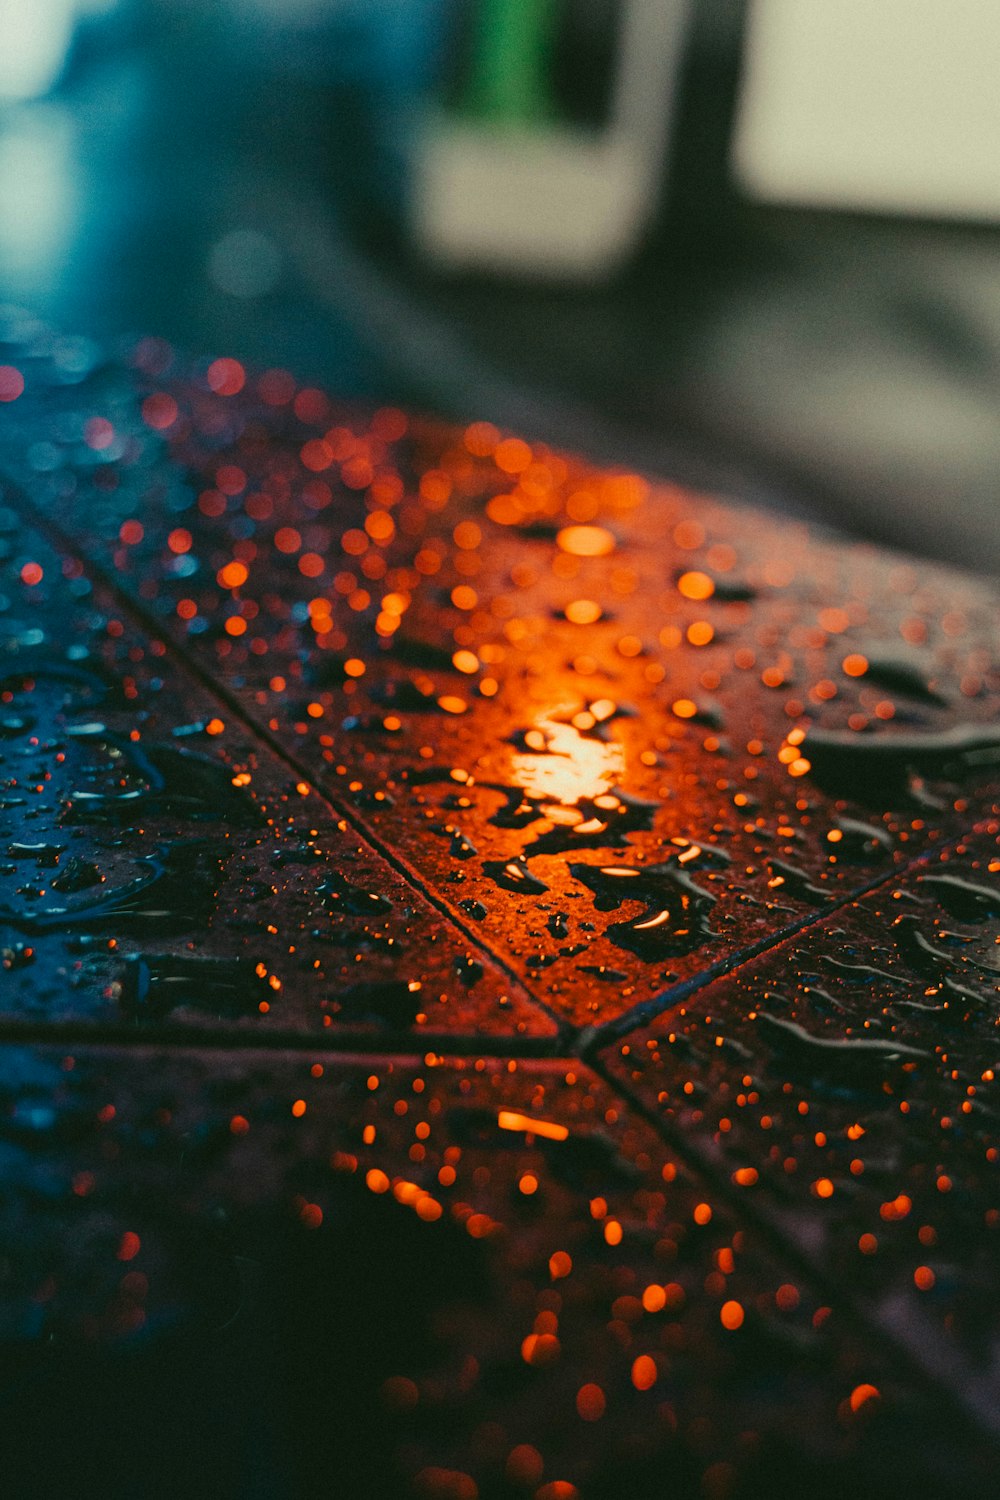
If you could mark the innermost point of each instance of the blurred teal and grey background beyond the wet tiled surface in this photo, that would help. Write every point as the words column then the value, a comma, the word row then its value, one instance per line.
column 746, row 244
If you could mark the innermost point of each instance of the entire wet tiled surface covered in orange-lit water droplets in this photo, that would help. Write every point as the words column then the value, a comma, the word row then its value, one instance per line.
column 527, row 937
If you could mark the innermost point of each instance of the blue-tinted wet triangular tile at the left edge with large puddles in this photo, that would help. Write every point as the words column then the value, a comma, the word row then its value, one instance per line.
column 164, row 871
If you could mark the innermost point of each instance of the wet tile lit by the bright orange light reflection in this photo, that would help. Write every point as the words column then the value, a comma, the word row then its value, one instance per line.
column 389, row 601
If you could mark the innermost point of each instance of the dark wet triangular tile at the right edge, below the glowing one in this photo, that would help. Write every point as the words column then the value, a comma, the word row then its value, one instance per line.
column 846, row 1085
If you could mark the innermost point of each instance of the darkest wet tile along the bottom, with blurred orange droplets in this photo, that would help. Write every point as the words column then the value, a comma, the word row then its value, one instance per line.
column 376, row 1277
